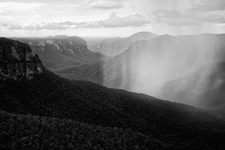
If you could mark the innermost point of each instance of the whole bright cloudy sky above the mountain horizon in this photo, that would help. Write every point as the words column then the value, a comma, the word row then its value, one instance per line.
column 110, row 18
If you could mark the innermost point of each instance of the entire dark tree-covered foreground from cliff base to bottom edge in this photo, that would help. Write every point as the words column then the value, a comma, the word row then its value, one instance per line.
column 162, row 124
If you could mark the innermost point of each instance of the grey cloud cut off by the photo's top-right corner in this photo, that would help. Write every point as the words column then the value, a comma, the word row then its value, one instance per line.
column 210, row 5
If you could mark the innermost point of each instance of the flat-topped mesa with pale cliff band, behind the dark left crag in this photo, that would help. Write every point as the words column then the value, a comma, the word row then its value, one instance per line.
column 62, row 51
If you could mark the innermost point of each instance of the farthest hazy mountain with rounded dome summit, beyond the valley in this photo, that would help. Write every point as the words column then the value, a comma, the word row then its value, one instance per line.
column 114, row 46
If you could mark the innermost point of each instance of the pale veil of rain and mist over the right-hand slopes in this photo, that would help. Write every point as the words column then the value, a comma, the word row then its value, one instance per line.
column 176, row 68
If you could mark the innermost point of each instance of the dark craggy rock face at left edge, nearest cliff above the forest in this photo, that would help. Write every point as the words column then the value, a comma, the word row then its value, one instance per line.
column 17, row 61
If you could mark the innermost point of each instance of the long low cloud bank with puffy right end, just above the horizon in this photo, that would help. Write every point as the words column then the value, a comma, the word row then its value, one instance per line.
column 114, row 21
